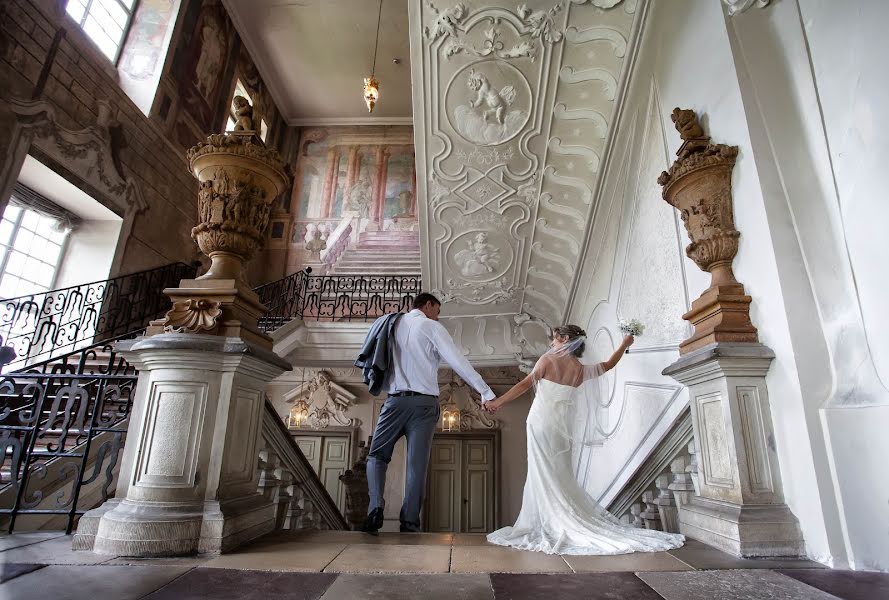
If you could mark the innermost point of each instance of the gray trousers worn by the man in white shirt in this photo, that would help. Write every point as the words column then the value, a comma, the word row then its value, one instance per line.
column 414, row 417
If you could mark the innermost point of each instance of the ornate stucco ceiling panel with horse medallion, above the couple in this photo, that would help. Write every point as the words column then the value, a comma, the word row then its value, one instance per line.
column 512, row 110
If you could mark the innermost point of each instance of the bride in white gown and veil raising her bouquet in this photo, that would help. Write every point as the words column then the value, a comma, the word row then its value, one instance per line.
column 558, row 516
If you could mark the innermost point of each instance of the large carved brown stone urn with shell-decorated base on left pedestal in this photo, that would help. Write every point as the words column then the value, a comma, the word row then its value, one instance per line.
column 239, row 180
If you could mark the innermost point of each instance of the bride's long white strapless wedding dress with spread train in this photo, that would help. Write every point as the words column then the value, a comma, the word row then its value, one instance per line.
column 558, row 516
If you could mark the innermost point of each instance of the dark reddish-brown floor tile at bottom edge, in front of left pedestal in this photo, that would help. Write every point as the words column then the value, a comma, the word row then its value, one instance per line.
column 233, row 584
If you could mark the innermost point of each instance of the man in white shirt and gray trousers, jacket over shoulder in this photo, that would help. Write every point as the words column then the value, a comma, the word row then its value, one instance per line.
column 411, row 380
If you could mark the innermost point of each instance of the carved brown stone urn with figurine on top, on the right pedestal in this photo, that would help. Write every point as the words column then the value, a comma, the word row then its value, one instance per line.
column 699, row 184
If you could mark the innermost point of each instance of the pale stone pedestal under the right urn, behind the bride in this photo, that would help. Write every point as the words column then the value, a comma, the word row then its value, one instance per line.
column 741, row 507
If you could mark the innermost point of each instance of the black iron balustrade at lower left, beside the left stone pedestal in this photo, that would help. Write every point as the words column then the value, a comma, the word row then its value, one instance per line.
column 62, row 427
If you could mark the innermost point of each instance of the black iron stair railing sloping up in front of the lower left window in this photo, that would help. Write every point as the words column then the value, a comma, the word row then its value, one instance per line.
column 41, row 326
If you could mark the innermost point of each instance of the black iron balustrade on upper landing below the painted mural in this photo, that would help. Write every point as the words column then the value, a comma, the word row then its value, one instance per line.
column 336, row 297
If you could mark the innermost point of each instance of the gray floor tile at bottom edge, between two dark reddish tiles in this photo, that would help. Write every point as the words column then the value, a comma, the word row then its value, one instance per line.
column 411, row 587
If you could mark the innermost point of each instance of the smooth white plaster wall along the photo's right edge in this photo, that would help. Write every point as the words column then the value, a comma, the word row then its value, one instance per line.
column 813, row 88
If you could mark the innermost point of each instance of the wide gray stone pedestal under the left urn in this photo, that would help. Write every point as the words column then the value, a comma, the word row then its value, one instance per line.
column 188, row 479
